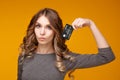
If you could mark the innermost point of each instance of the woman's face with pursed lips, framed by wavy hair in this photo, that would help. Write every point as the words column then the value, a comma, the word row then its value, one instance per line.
column 43, row 31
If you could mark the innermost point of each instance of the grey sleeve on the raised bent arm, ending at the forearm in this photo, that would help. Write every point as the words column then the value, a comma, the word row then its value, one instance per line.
column 104, row 55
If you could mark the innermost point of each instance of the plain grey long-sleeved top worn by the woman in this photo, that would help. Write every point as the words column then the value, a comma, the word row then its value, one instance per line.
column 42, row 66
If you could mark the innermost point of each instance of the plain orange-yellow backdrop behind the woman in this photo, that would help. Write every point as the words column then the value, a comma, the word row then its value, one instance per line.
column 16, row 14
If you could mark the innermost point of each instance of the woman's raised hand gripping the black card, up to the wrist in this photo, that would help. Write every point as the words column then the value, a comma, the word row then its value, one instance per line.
column 81, row 22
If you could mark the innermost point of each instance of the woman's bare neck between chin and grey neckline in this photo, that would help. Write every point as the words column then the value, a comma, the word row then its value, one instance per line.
column 45, row 49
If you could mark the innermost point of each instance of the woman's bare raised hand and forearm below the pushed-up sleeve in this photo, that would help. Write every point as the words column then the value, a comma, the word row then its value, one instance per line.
column 82, row 22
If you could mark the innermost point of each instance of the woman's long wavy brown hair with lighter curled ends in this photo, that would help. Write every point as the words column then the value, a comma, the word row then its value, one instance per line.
column 30, row 43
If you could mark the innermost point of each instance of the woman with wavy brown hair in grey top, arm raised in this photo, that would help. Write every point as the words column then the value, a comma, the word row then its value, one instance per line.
column 44, row 55
